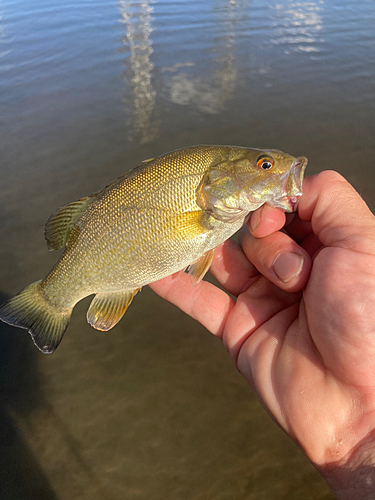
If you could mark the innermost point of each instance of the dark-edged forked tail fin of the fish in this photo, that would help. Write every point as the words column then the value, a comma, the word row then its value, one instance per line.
column 29, row 309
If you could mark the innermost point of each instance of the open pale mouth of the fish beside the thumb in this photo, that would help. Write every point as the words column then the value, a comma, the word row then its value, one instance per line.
column 291, row 185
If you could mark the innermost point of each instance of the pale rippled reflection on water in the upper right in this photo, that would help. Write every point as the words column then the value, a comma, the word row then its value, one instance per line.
column 297, row 25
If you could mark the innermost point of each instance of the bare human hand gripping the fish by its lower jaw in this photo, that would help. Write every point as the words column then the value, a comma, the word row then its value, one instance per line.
column 305, row 342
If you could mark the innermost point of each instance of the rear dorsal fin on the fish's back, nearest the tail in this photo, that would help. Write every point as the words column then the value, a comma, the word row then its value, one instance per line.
column 60, row 224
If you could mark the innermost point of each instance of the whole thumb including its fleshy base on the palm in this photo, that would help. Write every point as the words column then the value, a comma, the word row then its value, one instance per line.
column 340, row 294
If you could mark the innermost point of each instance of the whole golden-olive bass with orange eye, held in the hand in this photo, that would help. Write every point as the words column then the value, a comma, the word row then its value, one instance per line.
column 166, row 215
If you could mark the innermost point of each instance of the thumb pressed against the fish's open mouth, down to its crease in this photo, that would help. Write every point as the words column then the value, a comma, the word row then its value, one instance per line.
column 338, row 214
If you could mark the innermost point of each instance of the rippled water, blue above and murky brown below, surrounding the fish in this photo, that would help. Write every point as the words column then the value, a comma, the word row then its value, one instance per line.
column 154, row 409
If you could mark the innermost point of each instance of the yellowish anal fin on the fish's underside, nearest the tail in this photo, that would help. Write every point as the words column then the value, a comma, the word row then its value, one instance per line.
column 106, row 309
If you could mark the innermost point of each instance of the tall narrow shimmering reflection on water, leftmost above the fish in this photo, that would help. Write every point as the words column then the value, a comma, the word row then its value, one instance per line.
column 140, row 95
